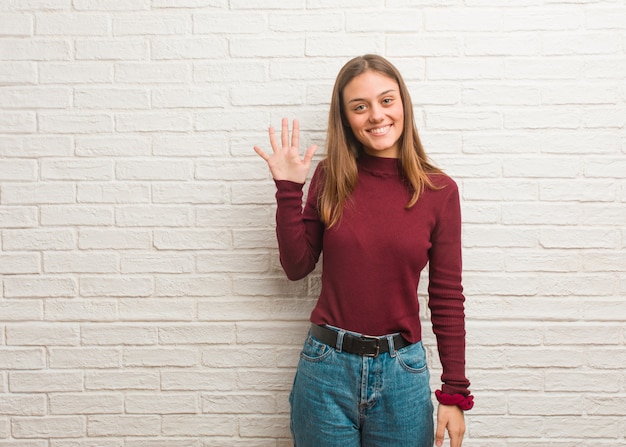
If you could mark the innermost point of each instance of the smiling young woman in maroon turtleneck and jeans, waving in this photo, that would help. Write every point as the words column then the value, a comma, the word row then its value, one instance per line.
column 381, row 212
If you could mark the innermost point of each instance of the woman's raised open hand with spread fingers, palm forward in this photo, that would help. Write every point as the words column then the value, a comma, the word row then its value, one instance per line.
column 285, row 162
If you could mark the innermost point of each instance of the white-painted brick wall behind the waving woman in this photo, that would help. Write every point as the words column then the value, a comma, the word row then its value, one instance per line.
column 141, row 299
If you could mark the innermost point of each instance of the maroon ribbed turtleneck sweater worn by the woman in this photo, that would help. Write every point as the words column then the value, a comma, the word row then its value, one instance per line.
column 373, row 258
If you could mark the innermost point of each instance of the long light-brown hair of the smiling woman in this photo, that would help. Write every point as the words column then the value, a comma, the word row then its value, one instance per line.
column 343, row 148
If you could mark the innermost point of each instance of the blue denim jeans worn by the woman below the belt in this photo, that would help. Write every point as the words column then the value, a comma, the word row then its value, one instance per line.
column 346, row 400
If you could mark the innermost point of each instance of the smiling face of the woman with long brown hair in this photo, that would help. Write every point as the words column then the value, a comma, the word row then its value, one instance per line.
column 375, row 113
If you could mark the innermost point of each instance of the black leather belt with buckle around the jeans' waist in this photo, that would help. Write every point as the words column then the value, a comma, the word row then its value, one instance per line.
column 361, row 345
